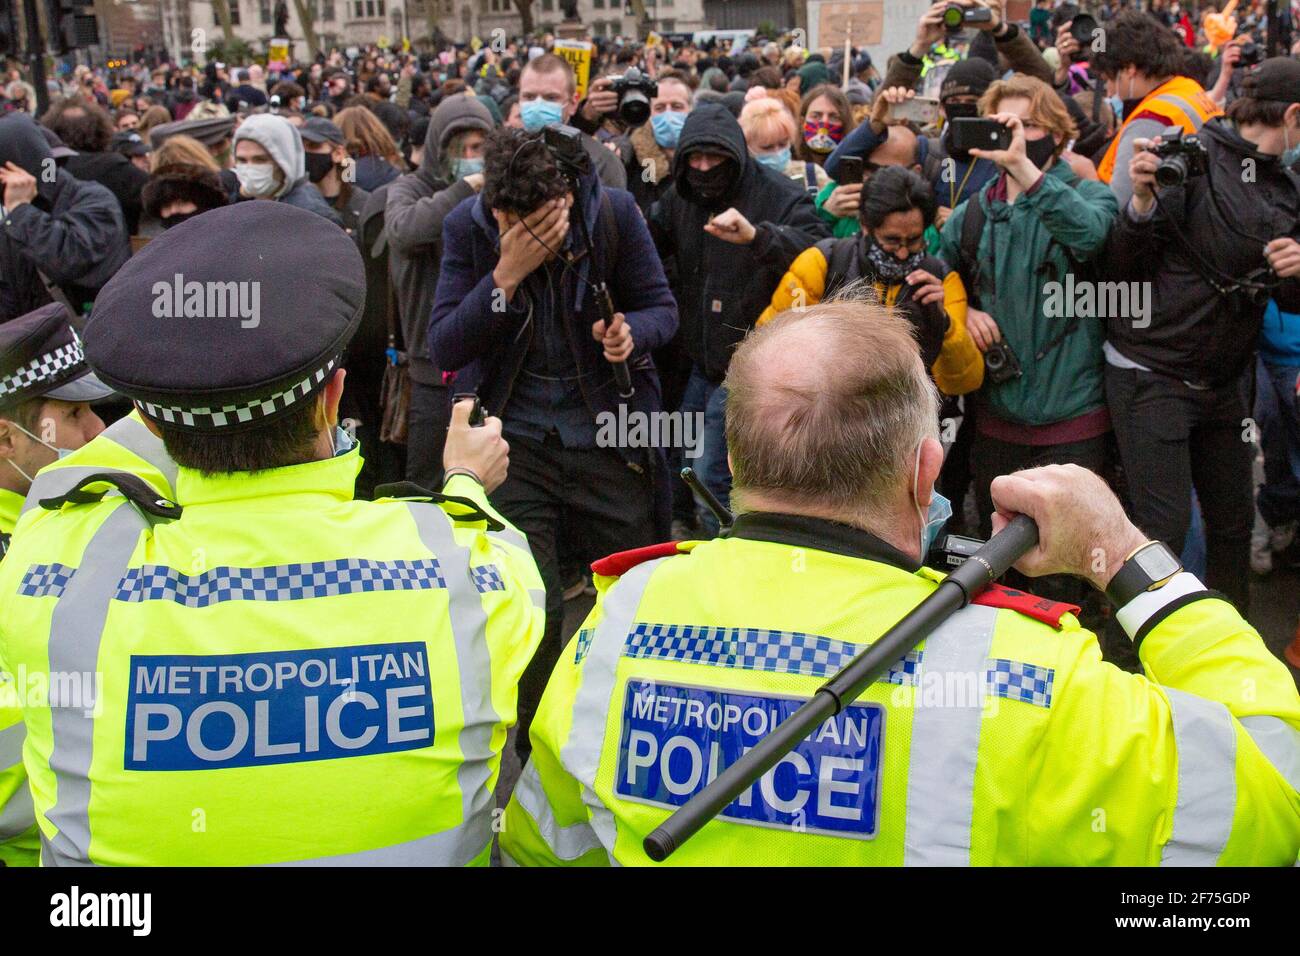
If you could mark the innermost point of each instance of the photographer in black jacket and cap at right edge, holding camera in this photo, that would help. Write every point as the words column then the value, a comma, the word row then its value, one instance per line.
column 1215, row 245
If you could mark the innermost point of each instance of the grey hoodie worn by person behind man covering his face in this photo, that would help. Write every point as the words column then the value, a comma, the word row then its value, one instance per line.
column 414, row 213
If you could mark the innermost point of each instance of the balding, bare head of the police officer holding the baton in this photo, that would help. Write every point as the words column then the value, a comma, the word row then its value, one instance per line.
column 826, row 409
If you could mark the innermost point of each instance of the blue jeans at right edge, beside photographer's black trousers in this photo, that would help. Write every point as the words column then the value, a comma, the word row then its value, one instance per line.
column 1277, row 410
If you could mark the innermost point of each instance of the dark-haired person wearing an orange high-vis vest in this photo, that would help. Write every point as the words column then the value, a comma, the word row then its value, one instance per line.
column 1141, row 63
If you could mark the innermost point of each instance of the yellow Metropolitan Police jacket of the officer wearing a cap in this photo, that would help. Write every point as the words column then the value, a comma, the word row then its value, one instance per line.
column 265, row 671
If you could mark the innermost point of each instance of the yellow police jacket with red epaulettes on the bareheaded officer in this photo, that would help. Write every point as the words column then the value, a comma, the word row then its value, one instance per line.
column 1002, row 739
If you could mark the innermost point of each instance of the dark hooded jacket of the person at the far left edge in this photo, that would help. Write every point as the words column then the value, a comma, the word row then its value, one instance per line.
column 73, row 231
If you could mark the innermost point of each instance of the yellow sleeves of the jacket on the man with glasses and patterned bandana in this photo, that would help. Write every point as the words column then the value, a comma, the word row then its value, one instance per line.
column 960, row 367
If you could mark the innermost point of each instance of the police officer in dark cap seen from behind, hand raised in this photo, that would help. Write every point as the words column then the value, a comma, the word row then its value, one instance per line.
column 253, row 668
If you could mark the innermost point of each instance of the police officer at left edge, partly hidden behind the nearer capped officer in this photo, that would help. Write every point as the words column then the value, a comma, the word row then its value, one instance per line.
column 46, row 390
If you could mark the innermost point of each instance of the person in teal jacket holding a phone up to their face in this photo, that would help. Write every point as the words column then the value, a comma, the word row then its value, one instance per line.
column 1041, row 226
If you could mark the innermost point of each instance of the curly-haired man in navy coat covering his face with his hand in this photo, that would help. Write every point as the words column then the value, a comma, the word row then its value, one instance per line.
column 517, row 317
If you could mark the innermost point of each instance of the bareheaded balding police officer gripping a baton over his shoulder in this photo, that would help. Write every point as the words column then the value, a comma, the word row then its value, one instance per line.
column 1002, row 739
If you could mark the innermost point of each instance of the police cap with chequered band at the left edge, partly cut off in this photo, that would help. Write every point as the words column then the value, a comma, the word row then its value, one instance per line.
column 41, row 358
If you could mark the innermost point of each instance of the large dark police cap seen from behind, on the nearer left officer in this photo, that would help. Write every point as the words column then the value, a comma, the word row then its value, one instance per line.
column 229, row 319
